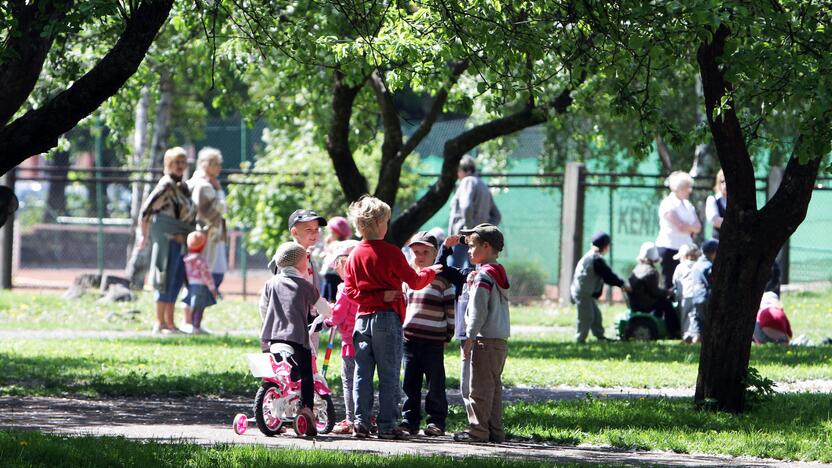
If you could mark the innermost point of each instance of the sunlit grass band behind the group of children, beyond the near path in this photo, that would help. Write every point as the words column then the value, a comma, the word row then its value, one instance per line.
column 215, row 365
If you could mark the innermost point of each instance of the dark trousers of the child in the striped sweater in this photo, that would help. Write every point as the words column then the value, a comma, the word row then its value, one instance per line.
column 424, row 358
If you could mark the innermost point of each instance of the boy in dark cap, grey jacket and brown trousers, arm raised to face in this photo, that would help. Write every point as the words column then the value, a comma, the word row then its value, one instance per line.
column 487, row 327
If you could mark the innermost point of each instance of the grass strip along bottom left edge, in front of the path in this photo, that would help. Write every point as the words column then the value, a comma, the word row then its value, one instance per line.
column 33, row 449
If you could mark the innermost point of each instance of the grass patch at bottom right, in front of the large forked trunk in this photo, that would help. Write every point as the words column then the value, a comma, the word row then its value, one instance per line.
column 789, row 427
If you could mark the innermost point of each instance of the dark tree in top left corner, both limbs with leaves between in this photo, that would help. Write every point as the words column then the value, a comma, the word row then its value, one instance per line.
column 31, row 29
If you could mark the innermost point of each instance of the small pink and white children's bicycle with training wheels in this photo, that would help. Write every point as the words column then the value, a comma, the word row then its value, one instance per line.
column 277, row 402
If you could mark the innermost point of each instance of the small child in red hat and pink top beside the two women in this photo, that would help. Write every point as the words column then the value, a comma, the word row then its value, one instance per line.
column 202, row 292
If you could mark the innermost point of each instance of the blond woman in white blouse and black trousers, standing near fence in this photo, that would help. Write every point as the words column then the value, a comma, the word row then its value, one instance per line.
column 677, row 222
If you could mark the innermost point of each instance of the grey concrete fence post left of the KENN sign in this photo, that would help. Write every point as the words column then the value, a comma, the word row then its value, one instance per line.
column 572, row 226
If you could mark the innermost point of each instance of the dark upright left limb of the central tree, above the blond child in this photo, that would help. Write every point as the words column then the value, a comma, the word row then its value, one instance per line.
column 353, row 183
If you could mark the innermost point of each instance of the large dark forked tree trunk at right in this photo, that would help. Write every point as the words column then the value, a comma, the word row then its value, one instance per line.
column 749, row 238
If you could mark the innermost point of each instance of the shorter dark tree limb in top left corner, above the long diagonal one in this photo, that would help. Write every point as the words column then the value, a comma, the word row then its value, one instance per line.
column 25, row 51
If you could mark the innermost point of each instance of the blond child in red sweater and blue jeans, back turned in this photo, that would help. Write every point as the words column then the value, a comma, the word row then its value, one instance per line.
column 375, row 267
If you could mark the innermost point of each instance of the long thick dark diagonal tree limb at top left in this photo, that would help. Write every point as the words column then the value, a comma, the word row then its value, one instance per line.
column 38, row 130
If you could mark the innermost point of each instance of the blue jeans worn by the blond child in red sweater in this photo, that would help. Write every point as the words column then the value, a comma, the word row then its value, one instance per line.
column 378, row 344
